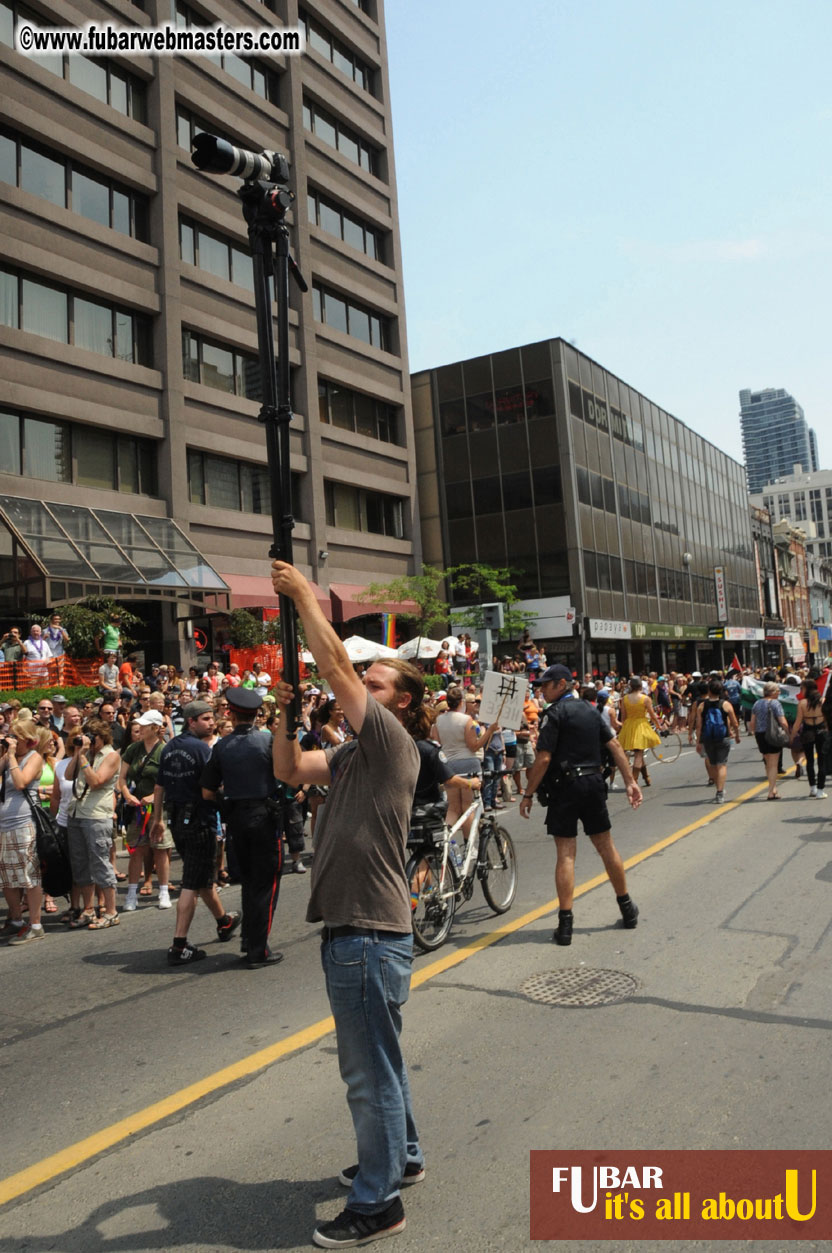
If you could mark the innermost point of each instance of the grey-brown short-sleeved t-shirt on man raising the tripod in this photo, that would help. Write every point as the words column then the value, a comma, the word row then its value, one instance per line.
column 360, row 856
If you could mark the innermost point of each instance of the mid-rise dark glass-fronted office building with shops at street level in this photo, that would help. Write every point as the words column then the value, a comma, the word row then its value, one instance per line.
column 628, row 533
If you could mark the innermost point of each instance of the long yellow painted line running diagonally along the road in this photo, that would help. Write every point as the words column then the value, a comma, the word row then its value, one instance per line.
column 83, row 1151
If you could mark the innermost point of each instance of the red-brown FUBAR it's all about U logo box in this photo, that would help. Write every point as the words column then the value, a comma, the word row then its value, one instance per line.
column 682, row 1195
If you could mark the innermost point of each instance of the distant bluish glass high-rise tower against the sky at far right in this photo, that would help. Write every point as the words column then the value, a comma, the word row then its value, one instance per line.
column 776, row 437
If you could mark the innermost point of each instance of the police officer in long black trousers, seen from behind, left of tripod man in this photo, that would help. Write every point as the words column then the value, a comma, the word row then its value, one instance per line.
column 242, row 766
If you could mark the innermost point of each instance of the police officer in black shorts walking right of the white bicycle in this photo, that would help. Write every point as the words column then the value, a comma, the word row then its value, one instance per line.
column 569, row 766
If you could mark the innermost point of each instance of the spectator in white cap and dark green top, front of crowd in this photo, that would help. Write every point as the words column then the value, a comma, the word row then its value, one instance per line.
column 137, row 784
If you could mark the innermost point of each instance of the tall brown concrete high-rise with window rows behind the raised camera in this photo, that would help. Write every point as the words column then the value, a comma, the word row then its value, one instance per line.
column 127, row 323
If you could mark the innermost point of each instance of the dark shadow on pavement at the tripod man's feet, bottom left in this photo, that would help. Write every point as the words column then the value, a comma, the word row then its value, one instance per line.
column 209, row 1212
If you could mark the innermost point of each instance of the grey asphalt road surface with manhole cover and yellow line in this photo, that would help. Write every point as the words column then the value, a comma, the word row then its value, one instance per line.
column 722, row 1044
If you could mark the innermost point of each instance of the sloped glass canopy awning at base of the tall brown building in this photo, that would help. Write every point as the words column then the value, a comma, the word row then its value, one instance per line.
column 52, row 554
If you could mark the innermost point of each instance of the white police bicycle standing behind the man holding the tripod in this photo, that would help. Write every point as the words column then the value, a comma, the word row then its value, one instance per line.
column 442, row 875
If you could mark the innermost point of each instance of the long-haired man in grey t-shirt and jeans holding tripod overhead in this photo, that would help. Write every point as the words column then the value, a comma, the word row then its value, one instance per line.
column 360, row 894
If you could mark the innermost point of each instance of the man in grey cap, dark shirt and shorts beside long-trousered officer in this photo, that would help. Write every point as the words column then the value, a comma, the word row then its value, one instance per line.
column 194, row 823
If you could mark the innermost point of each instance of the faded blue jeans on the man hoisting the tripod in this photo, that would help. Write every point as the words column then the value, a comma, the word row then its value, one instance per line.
column 368, row 979
